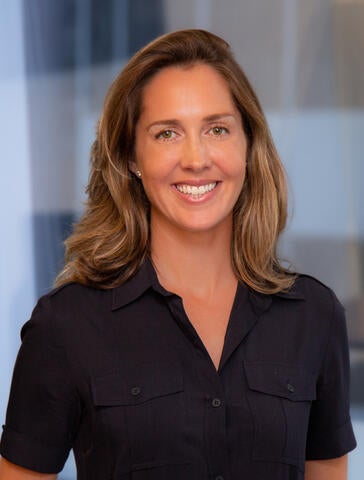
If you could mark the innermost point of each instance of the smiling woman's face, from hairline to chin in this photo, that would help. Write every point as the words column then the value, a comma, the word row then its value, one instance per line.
column 190, row 149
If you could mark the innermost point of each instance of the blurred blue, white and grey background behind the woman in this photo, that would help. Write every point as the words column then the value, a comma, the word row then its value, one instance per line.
column 305, row 60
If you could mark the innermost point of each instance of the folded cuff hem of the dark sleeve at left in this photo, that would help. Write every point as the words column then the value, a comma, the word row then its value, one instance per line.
column 27, row 452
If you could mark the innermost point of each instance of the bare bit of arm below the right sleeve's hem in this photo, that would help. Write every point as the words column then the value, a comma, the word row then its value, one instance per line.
column 333, row 469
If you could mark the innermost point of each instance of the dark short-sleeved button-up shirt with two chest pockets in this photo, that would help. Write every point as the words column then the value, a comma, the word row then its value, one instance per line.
column 121, row 377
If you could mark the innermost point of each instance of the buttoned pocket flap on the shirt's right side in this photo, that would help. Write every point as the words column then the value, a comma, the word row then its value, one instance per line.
column 284, row 380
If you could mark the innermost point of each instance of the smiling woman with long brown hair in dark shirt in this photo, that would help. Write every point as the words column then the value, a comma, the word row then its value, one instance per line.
column 176, row 346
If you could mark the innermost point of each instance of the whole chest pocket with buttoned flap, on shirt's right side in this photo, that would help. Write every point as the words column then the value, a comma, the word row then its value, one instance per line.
column 280, row 397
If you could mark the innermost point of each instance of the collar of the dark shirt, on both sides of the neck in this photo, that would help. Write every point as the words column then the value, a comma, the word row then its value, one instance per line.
column 146, row 278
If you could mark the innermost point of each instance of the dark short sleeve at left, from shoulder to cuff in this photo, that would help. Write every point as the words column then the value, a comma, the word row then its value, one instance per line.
column 43, row 409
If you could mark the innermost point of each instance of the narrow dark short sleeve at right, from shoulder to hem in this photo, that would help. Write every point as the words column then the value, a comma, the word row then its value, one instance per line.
column 330, row 432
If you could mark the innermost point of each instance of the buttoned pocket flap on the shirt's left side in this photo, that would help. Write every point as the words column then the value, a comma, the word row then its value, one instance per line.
column 138, row 386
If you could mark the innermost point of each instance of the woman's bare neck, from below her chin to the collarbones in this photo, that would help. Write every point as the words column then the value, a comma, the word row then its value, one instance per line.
column 193, row 263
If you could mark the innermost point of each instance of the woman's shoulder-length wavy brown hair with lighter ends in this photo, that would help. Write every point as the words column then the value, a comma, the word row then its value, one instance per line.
column 112, row 238
